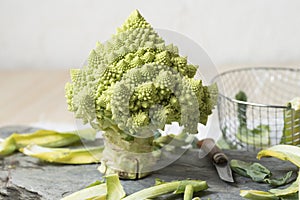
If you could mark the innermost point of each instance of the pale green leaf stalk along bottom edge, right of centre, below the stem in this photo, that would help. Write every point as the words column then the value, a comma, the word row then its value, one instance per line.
column 176, row 186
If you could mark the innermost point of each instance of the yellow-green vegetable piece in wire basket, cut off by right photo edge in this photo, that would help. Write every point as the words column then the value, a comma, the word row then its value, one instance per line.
column 291, row 130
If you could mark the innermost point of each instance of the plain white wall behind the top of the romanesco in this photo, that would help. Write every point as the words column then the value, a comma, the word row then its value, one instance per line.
column 60, row 33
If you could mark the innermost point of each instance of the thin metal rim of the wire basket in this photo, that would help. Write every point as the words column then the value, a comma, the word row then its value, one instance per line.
column 248, row 69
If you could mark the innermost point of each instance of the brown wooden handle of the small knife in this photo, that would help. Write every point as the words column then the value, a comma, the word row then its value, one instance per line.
column 208, row 145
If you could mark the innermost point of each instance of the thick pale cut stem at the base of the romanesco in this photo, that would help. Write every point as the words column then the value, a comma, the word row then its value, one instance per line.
column 129, row 157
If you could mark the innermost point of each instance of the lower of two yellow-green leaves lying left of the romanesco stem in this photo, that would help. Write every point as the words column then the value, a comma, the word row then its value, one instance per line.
column 64, row 155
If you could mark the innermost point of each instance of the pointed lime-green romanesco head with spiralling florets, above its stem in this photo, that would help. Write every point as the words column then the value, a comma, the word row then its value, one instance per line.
column 134, row 84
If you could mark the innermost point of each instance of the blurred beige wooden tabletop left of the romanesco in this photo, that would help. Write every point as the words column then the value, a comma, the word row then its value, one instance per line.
column 32, row 96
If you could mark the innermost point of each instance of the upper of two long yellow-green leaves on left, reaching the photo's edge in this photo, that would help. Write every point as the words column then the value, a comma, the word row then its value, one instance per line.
column 45, row 138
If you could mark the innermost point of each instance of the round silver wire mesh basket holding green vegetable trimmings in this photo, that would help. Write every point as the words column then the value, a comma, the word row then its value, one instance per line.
column 268, row 91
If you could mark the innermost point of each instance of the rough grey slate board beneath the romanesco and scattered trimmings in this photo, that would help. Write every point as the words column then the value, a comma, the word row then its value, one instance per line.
column 23, row 177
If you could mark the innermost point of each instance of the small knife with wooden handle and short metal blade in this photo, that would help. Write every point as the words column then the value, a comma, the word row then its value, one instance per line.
column 218, row 158
